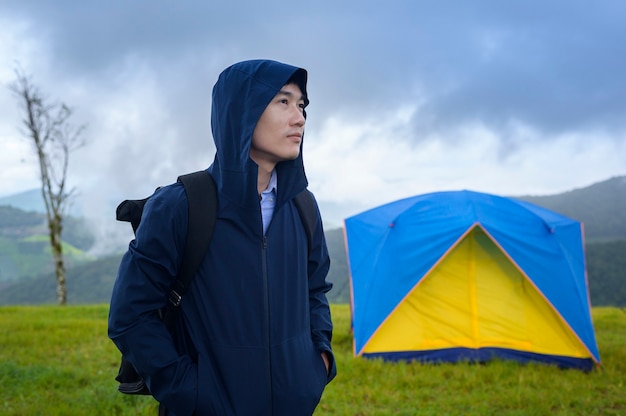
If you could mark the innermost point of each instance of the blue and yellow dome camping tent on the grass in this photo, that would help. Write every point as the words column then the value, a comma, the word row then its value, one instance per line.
column 455, row 276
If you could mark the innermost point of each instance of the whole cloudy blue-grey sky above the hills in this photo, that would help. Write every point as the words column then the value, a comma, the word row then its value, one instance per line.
column 407, row 97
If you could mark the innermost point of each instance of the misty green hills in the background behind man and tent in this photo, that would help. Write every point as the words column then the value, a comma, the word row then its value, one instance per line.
column 601, row 207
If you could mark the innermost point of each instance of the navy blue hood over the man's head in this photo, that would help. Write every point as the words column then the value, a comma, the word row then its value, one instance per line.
column 240, row 95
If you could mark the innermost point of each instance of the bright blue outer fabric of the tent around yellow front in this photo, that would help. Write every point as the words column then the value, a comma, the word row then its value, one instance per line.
column 406, row 238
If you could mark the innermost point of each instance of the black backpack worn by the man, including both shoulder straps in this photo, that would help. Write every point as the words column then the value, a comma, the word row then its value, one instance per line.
column 202, row 212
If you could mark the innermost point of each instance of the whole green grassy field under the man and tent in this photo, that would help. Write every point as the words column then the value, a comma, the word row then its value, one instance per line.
column 58, row 361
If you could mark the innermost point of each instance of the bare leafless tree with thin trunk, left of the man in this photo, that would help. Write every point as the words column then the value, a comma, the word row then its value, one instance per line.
column 53, row 137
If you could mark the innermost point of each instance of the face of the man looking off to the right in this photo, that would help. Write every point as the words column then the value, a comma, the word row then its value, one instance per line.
column 278, row 133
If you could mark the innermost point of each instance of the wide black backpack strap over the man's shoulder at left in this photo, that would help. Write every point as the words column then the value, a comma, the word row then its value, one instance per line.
column 202, row 202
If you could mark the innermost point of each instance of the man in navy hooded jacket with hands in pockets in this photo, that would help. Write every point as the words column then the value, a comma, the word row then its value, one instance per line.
column 254, row 329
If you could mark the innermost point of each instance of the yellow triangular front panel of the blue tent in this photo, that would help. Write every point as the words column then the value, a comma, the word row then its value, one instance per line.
column 476, row 297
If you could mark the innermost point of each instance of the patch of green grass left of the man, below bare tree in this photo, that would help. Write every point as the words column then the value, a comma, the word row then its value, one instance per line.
column 58, row 361
